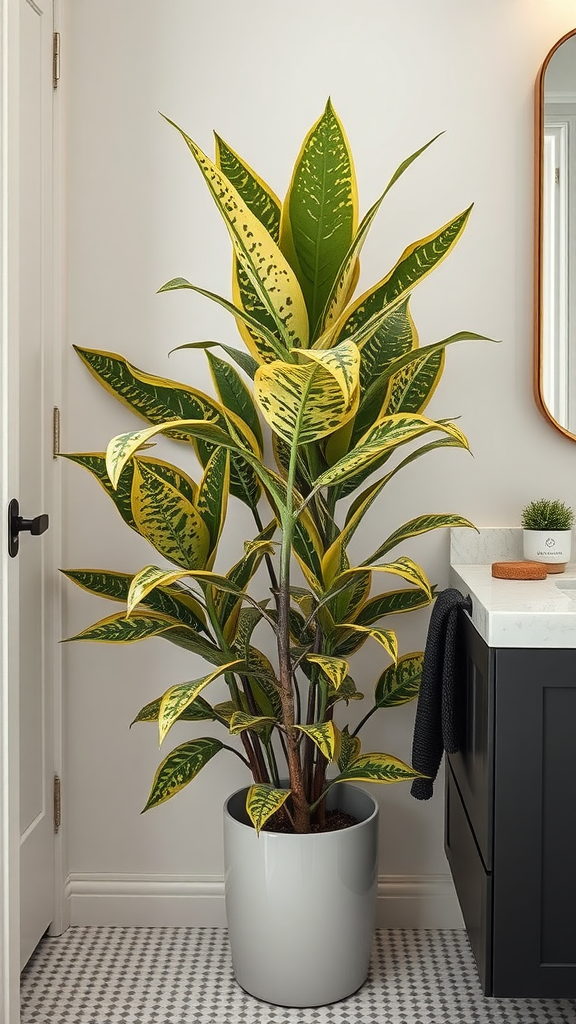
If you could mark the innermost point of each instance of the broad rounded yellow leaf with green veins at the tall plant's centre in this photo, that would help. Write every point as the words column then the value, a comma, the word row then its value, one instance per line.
column 303, row 404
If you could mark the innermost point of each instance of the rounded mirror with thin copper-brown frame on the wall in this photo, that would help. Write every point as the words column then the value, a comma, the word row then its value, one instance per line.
column 556, row 236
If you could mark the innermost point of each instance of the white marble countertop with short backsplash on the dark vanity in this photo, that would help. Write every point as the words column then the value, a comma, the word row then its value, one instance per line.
column 513, row 613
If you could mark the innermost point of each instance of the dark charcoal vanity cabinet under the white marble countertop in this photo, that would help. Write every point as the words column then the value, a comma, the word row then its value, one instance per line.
column 511, row 817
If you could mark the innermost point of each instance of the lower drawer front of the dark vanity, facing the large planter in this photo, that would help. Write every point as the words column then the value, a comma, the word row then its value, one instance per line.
column 473, row 882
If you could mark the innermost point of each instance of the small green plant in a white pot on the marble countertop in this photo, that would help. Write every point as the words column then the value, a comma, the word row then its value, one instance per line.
column 548, row 533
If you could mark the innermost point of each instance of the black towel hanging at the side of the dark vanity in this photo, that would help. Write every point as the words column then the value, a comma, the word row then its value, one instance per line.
column 436, row 729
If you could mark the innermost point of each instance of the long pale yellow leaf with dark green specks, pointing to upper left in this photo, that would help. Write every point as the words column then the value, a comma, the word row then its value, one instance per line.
column 270, row 274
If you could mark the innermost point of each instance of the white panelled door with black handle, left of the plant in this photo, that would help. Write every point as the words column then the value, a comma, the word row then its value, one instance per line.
column 35, row 472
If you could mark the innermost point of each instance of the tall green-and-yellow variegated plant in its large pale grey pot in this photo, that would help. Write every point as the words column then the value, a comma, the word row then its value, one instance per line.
column 342, row 387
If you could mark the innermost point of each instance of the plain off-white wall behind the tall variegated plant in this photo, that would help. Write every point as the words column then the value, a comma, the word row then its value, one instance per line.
column 139, row 215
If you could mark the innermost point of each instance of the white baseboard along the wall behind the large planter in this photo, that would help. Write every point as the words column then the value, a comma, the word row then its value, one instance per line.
column 149, row 901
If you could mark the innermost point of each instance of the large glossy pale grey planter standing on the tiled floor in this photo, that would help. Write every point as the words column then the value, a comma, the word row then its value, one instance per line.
column 302, row 909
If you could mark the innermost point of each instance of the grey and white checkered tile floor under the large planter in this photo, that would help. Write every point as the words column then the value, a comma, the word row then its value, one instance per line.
column 184, row 975
